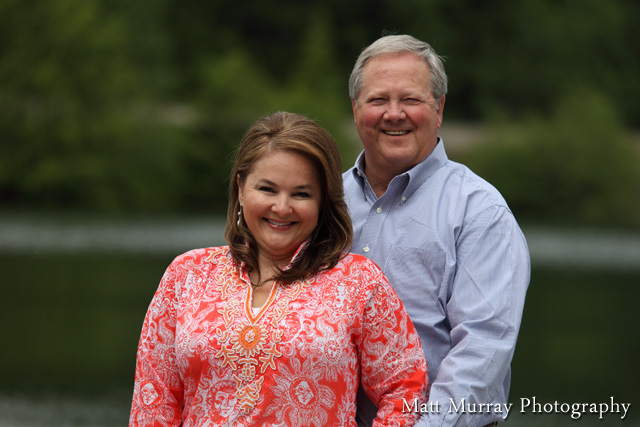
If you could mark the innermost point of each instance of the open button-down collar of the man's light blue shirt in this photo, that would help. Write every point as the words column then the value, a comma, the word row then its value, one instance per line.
column 416, row 176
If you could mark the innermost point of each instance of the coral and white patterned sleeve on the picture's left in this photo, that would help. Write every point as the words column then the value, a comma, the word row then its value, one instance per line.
column 158, row 390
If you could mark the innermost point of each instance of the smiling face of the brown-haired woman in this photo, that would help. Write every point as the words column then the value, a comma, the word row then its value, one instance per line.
column 280, row 200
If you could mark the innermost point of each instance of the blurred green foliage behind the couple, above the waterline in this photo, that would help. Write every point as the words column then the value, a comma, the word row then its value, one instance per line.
column 135, row 107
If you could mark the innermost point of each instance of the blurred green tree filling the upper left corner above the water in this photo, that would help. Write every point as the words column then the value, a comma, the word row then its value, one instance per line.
column 73, row 132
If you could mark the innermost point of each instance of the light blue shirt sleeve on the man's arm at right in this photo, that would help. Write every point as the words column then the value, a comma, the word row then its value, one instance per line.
column 485, row 311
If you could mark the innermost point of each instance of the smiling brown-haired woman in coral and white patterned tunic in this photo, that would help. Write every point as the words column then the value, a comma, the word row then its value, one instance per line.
column 281, row 326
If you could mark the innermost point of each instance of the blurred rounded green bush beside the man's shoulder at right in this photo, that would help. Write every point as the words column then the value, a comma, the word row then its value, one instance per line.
column 578, row 166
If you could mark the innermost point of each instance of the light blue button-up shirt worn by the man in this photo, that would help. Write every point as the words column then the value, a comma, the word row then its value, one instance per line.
column 451, row 248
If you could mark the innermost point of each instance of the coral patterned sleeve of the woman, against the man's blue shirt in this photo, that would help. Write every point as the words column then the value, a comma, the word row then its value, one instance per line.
column 393, row 367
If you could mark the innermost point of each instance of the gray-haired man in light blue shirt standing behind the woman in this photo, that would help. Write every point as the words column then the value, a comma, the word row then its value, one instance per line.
column 444, row 237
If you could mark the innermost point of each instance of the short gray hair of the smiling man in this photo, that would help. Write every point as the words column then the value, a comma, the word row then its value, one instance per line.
column 400, row 44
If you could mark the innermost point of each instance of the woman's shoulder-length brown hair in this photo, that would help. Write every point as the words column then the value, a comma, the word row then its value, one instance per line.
column 333, row 235
